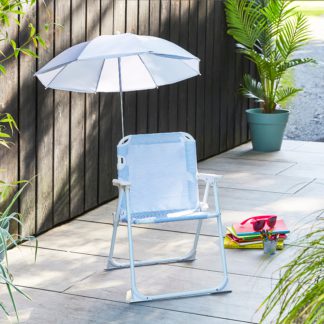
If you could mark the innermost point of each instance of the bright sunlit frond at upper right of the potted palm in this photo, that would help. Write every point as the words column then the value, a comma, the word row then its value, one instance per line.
column 293, row 35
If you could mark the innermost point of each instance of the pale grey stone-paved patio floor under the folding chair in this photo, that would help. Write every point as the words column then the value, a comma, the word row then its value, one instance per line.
column 68, row 283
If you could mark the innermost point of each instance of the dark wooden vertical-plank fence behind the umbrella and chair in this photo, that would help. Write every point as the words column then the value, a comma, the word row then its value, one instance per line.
column 68, row 140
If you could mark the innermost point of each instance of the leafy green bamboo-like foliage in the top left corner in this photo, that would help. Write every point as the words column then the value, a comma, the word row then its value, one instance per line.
column 13, row 12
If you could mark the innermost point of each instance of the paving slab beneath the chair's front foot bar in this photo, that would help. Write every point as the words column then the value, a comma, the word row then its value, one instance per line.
column 248, row 292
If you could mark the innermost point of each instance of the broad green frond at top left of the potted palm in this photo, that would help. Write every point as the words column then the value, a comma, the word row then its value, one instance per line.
column 244, row 21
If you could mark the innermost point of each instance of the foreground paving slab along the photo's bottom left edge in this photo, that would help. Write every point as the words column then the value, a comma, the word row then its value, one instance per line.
column 58, row 308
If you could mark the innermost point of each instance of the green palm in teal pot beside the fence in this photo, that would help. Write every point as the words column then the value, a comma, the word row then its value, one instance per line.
column 268, row 33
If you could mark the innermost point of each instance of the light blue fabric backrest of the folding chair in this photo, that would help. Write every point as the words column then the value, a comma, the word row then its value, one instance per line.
column 162, row 170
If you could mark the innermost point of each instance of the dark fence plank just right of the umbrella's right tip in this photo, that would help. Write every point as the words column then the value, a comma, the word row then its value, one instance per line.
column 209, row 149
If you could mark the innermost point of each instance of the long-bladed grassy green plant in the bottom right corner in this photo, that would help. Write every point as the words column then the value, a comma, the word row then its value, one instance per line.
column 299, row 292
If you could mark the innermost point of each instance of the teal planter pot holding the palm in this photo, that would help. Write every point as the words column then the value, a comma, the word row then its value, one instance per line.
column 267, row 129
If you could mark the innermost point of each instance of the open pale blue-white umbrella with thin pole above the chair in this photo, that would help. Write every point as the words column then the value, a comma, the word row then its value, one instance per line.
column 117, row 63
